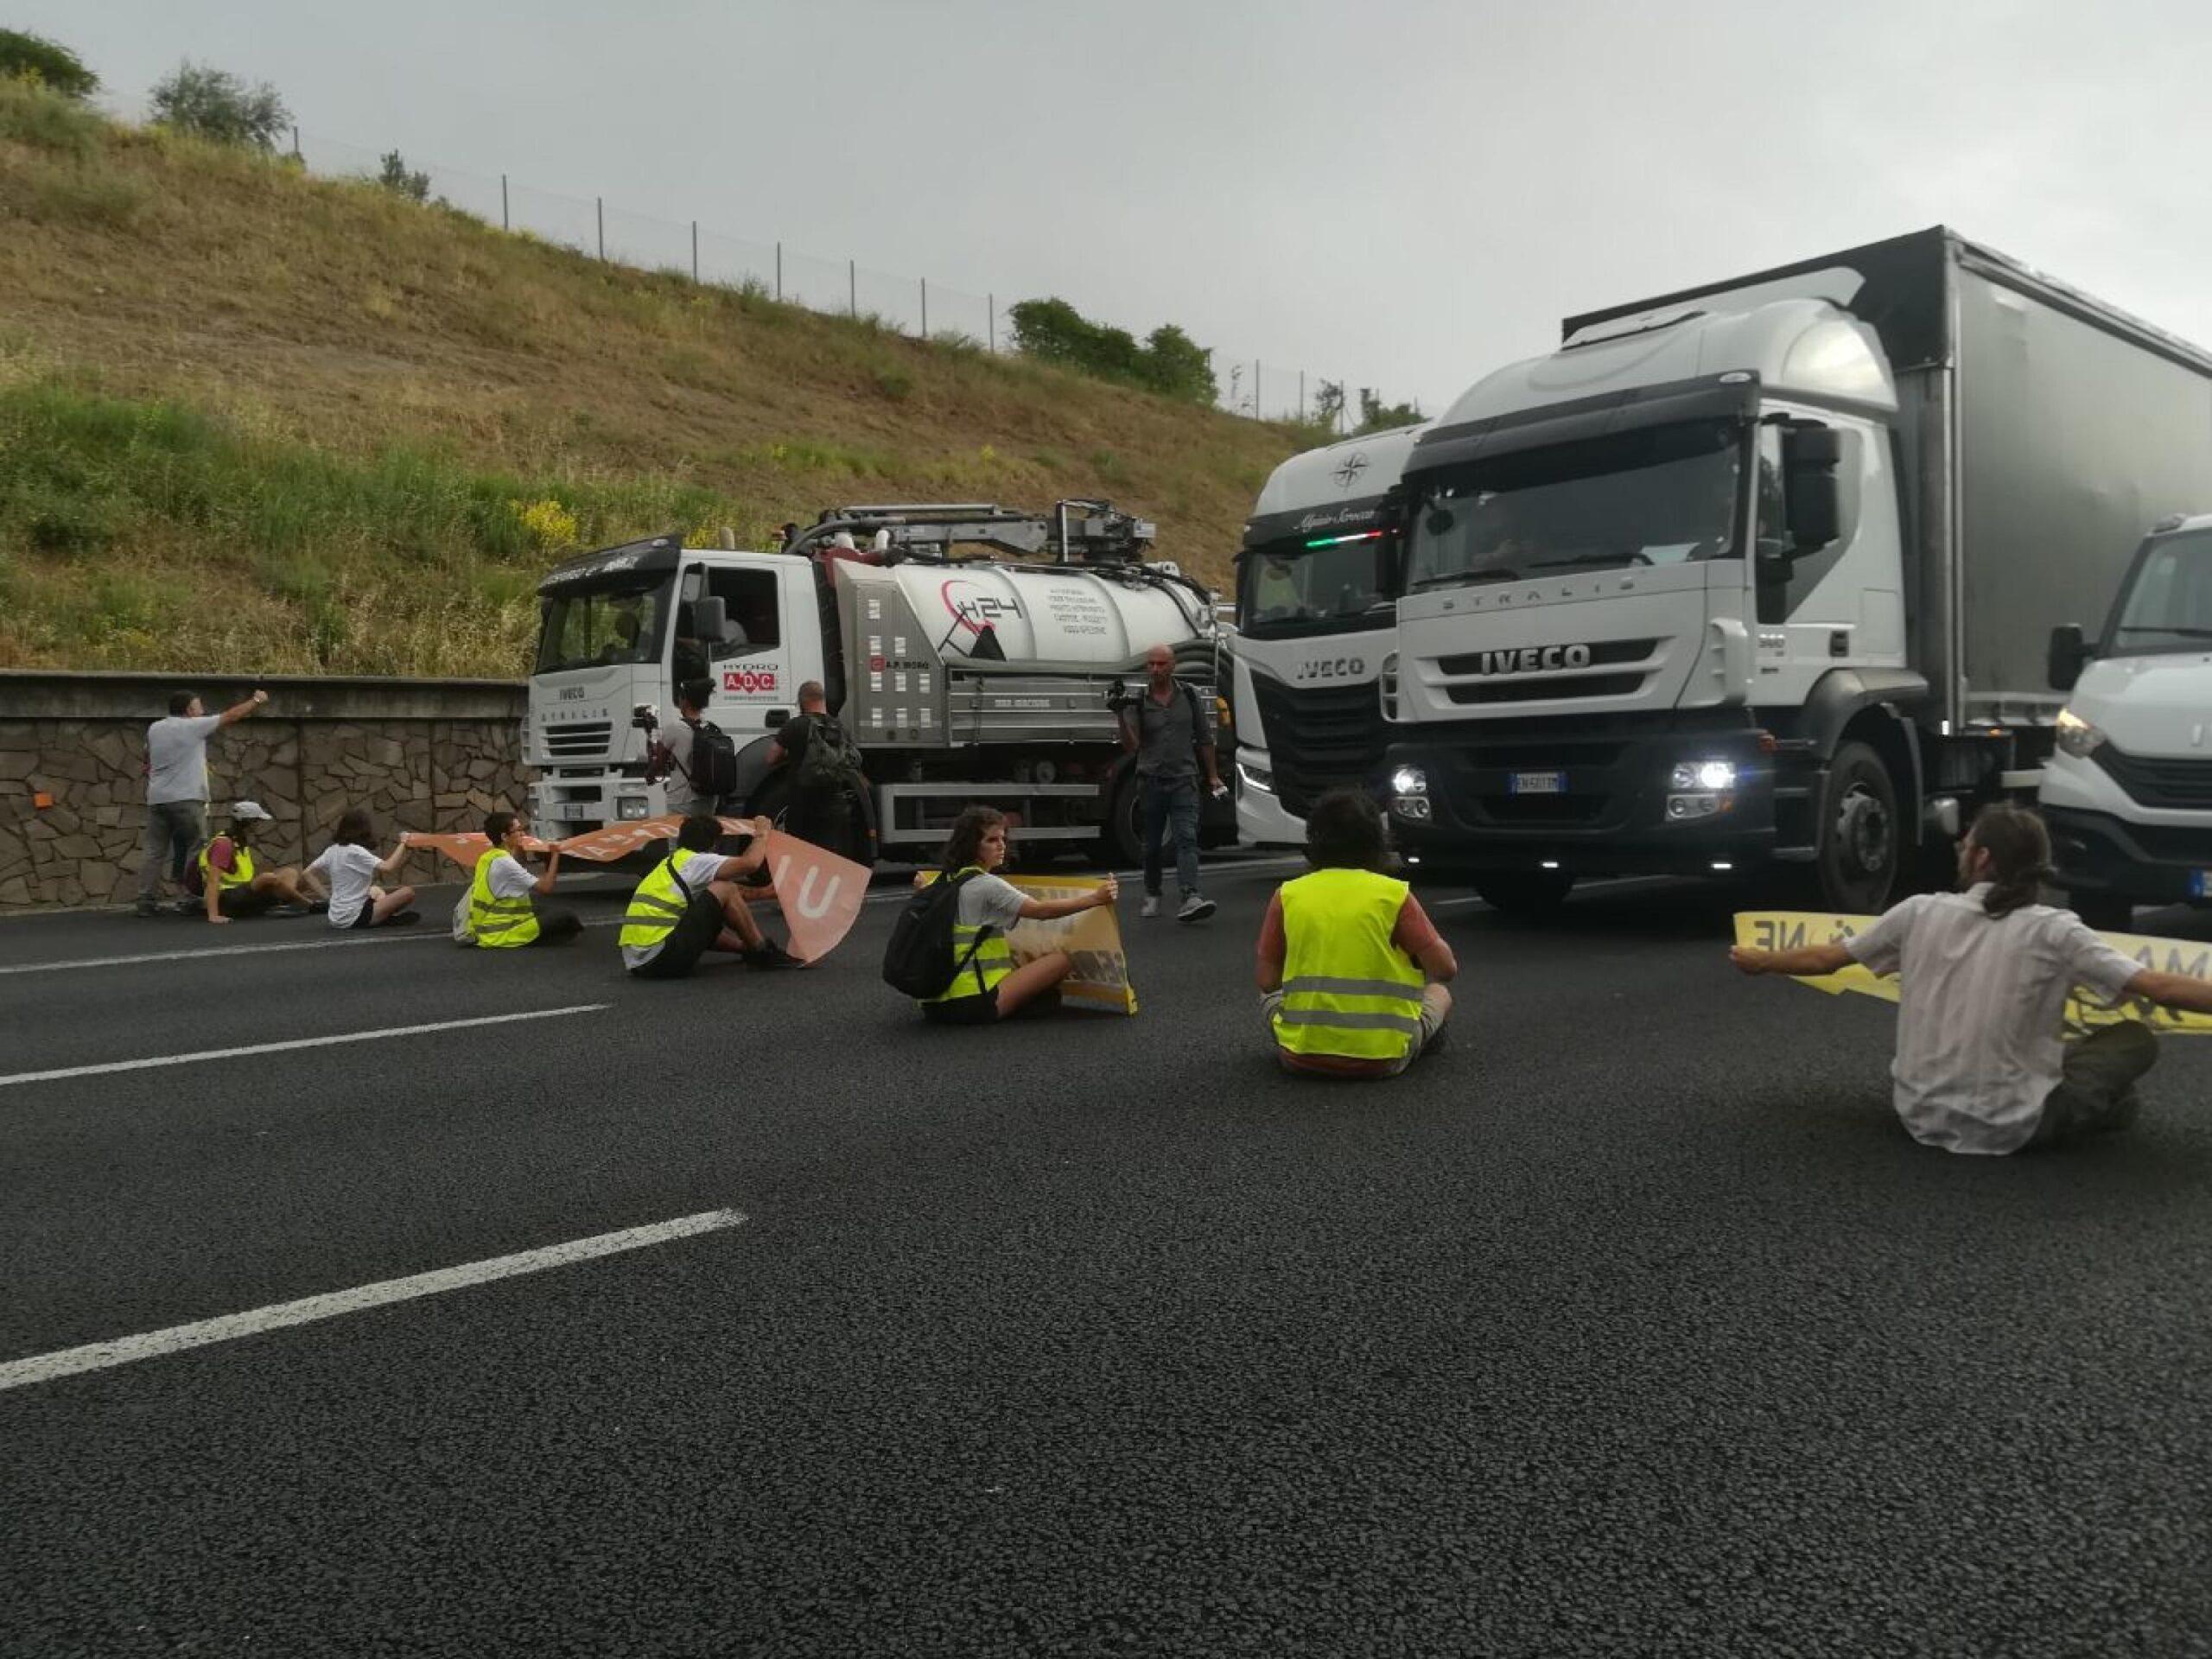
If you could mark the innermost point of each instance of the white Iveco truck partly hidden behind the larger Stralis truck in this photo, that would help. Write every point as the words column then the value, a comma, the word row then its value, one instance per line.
column 1317, row 583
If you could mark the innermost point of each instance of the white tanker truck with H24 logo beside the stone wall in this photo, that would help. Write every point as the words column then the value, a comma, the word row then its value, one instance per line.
column 970, row 649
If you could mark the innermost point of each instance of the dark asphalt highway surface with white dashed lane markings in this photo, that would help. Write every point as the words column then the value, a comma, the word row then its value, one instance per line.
column 1629, row 1324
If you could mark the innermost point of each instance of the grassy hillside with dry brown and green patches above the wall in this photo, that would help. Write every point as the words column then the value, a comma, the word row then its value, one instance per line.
column 255, row 421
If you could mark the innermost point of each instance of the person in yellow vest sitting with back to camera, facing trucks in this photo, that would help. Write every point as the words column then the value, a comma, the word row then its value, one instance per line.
column 1350, row 968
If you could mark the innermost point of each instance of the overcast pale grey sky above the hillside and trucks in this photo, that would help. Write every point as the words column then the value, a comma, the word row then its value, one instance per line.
column 1390, row 194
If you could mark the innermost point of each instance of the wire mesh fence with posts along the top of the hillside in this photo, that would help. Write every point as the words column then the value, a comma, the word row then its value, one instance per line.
column 1249, row 386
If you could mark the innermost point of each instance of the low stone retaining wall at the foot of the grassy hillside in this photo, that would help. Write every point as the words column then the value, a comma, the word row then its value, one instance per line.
column 421, row 755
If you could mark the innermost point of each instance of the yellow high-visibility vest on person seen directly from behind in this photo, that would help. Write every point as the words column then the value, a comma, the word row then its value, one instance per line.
column 1348, row 992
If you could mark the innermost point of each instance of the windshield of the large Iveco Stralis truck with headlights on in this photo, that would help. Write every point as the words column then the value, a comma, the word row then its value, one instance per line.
column 1649, row 497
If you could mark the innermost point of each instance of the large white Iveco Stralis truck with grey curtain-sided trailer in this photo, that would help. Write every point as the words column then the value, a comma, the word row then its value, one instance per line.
column 1764, row 574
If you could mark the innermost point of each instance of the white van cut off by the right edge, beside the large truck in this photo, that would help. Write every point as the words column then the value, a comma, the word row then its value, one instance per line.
column 2129, row 789
